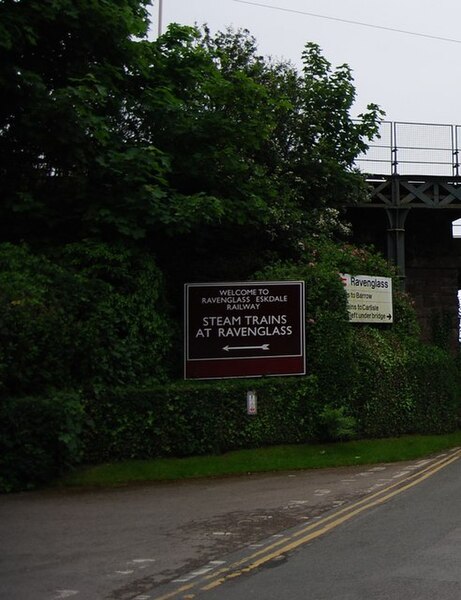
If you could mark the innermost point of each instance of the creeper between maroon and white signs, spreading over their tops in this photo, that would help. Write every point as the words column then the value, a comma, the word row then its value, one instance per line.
column 329, row 335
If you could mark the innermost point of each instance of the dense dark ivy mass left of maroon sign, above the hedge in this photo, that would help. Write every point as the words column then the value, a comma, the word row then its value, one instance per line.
column 93, row 318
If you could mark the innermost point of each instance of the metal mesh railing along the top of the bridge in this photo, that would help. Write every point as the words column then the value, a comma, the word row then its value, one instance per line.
column 413, row 149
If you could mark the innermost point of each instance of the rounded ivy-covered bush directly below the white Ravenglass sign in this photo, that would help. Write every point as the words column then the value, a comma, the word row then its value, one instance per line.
column 403, row 385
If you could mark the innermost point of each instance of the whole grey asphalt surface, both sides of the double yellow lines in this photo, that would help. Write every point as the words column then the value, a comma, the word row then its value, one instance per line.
column 159, row 540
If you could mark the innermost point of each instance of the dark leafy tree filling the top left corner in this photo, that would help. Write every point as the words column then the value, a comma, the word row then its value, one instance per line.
column 71, row 161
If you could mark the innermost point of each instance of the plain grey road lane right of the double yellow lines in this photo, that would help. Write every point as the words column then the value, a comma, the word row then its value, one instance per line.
column 406, row 549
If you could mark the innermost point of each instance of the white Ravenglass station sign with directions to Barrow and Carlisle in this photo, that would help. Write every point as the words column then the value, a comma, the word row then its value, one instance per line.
column 369, row 298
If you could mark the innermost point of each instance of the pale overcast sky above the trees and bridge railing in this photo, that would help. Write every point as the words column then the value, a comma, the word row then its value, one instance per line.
column 412, row 77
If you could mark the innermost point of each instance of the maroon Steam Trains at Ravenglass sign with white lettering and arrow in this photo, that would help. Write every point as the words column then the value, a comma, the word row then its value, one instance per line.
column 244, row 329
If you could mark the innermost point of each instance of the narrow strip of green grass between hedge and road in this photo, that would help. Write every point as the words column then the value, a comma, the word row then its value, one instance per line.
column 276, row 458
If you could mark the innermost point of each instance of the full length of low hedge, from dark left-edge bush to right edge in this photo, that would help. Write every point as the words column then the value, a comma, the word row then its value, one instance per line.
column 397, row 387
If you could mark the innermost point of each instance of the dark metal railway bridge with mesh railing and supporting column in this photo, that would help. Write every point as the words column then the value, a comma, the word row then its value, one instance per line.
column 414, row 174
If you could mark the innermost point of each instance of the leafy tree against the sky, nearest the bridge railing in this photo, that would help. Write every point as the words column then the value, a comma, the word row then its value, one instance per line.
column 313, row 143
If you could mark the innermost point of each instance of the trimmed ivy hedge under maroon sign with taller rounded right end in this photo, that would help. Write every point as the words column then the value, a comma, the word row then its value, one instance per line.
column 397, row 386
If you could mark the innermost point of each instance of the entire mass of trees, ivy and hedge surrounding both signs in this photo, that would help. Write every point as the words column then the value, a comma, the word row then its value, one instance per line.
column 219, row 163
